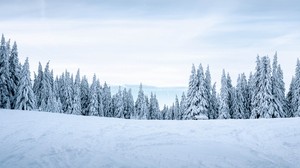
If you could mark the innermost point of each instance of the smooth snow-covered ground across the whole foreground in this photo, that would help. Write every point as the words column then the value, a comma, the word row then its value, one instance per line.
column 40, row 139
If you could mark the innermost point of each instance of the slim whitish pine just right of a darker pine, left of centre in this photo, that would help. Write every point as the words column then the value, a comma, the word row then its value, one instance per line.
column 93, row 104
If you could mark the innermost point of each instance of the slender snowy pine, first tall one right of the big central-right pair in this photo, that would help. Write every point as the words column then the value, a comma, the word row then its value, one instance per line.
column 224, row 107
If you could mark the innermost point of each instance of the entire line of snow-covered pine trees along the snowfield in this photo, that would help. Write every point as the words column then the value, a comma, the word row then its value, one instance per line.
column 261, row 95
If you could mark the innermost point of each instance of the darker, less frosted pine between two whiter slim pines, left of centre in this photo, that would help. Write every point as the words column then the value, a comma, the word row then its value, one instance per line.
column 84, row 94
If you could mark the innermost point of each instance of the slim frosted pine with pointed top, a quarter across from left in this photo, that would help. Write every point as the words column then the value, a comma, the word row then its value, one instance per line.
column 76, row 105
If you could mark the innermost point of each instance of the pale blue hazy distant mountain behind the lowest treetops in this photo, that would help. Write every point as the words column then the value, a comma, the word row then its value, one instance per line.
column 165, row 95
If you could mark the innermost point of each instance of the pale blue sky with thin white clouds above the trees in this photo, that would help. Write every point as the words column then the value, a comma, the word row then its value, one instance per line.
column 153, row 41
